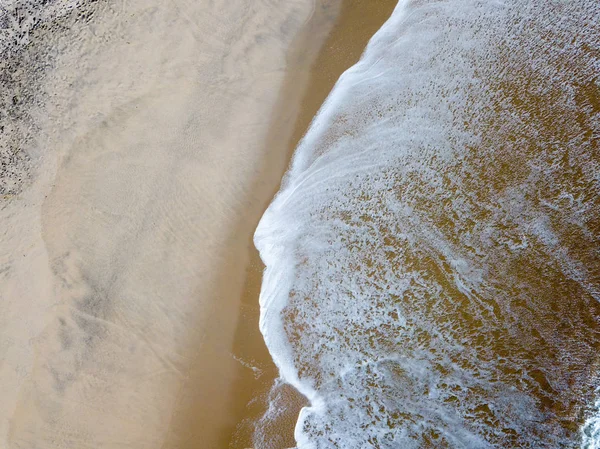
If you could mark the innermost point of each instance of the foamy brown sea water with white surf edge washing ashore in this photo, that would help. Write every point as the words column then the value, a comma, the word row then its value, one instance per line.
column 433, row 255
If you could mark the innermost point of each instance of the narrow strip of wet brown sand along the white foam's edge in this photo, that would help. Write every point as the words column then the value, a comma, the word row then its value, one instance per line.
column 307, row 85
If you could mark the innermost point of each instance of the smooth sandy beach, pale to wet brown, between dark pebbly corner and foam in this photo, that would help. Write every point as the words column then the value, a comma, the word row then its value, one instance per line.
column 124, row 315
